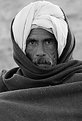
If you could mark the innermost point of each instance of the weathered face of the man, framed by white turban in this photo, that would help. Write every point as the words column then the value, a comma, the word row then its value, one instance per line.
column 42, row 48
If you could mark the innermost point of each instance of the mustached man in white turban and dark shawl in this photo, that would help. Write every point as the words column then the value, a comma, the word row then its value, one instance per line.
column 47, row 85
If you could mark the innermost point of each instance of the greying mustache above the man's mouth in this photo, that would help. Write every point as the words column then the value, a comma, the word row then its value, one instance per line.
column 42, row 60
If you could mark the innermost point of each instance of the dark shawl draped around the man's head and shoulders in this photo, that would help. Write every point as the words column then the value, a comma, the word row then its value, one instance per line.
column 33, row 94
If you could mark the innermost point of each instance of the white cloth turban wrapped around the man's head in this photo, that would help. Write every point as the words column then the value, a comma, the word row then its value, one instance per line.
column 45, row 15
